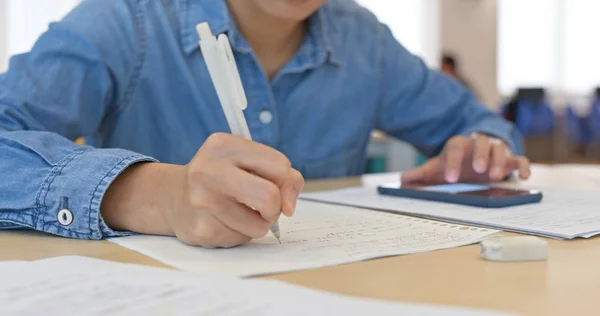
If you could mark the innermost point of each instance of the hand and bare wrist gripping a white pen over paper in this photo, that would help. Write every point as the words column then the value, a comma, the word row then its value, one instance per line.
column 232, row 191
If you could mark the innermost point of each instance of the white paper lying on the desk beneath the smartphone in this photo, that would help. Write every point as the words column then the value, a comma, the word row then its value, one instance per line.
column 562, row 214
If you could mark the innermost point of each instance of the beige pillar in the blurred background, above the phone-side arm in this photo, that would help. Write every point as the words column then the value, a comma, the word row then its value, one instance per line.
column 468, row 28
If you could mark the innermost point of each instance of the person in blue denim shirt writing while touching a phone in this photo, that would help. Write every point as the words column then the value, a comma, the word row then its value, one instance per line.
column 319, row 77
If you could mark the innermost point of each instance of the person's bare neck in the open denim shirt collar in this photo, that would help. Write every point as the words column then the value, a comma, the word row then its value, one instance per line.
column 273, row 40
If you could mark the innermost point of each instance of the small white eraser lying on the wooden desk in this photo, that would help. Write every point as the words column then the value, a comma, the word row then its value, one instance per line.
column 514, row 249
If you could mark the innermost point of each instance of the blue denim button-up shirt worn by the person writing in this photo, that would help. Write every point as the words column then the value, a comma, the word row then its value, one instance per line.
column 130, row 75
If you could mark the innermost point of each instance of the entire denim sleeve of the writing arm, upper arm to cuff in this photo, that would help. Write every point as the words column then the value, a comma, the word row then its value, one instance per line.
column 81, row 70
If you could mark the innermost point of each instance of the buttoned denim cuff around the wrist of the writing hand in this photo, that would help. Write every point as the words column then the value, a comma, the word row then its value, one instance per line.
column 70, row 197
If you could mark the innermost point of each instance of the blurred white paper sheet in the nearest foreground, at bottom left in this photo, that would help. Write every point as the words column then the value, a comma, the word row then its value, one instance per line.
column 81, row 286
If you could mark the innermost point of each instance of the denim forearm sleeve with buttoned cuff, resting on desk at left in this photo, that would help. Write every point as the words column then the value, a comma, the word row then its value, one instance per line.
column 46, row 177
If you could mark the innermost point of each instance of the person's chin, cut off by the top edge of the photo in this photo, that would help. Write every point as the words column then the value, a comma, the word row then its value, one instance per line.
column 293, row 10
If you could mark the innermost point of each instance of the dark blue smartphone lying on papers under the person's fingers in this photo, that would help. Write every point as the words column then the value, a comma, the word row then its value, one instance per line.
column 465, row 194
